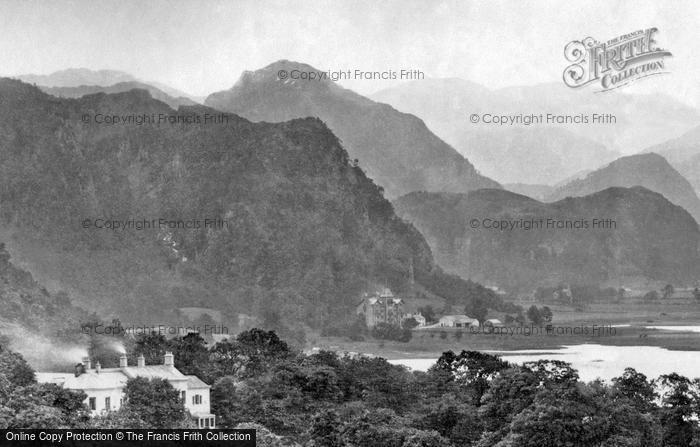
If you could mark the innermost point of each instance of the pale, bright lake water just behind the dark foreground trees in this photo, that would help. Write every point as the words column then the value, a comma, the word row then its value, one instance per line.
column 598, row 361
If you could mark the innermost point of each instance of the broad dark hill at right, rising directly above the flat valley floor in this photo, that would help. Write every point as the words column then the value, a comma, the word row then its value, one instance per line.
column 651, row 238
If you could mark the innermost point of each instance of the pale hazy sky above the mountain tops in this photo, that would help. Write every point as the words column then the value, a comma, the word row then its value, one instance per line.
column 201, row 47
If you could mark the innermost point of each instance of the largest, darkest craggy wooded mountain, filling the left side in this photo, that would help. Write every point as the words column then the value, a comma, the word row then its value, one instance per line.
column 137, row 219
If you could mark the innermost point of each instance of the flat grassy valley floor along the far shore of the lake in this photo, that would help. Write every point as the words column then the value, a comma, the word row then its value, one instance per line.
column 618, row 324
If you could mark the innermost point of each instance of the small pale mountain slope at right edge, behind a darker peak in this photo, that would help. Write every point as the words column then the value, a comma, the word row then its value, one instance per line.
column 684, row 154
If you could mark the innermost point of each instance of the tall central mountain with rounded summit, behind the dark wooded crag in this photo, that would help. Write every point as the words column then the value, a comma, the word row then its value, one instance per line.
column 396, row 149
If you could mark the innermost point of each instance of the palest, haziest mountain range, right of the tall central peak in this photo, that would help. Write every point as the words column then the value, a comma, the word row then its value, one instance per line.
column 551, row 152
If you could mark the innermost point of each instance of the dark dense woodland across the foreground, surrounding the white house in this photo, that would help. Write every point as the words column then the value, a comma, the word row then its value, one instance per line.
column 323, row 399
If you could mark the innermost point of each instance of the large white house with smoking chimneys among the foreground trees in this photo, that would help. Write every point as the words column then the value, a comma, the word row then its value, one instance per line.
column 105, row 386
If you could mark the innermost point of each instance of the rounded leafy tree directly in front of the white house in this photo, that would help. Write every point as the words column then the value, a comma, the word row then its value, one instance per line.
column 156, row 402
